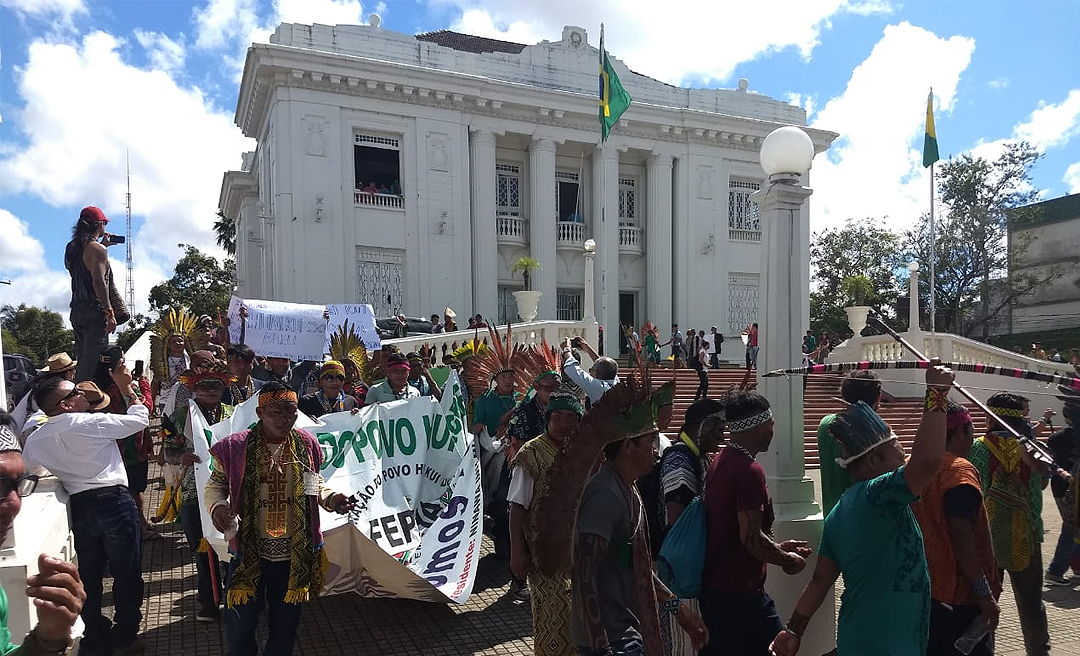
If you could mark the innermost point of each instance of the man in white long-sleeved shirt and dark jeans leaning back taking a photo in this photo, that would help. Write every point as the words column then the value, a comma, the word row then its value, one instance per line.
column 80, row 449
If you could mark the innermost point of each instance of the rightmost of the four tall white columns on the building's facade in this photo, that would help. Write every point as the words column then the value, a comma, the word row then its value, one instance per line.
column 658, row 243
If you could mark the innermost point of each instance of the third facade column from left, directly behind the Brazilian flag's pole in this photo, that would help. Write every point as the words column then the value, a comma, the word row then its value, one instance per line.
column 605, row 224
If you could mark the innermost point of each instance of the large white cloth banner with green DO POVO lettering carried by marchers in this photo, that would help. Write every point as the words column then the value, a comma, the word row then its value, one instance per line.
column 415, row 472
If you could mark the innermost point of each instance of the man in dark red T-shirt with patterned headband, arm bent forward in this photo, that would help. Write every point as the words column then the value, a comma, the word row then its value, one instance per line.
column 740, row 615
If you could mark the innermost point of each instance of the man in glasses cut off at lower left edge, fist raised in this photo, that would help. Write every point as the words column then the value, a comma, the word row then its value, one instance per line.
column 57, row 590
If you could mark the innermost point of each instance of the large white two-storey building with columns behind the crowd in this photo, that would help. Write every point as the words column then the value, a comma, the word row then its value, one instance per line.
column 411, row 172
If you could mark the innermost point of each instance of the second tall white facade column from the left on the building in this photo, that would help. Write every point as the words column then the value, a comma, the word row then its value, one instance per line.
column 543, row 222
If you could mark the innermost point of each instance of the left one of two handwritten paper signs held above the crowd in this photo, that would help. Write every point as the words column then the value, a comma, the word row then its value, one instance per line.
column 280, row 330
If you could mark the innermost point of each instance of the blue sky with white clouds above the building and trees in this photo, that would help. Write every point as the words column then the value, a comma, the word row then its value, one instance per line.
column 84, row 83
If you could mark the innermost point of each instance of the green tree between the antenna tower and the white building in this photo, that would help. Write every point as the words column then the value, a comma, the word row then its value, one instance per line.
column 200, row 283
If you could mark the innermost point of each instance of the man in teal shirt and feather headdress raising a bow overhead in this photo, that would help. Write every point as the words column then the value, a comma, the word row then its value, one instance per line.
column 872, row 537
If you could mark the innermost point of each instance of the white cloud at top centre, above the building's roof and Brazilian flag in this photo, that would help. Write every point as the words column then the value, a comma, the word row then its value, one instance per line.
column 673, row 43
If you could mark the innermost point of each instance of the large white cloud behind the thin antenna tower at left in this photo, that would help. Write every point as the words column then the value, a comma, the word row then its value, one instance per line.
column 75, row 150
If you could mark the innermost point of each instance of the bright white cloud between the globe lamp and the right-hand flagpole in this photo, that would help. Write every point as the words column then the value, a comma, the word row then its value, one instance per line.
column 875, row 168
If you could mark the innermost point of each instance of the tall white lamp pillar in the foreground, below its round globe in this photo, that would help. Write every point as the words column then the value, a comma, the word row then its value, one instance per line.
column 786, row 252
